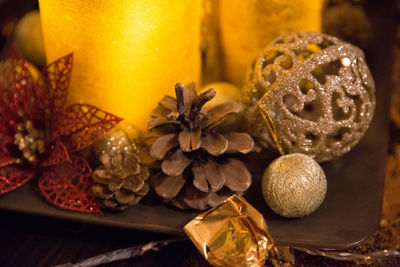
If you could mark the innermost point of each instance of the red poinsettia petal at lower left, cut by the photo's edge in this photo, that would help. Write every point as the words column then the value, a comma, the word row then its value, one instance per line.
column 12, row 177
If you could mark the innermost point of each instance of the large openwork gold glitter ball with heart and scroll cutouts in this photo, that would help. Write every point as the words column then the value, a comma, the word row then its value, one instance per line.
column 318, row 92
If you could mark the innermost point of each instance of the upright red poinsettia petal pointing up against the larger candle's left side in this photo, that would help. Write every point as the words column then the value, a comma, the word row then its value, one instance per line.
column 52, row 86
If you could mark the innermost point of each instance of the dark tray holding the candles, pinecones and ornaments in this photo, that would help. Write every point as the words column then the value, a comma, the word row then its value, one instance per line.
column 350, row 212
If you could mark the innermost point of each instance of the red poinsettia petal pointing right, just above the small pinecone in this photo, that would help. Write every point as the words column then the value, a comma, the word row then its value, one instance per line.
column 87, row 124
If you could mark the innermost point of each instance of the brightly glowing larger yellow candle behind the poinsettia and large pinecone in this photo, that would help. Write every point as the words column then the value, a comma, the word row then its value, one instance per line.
column 127, row 53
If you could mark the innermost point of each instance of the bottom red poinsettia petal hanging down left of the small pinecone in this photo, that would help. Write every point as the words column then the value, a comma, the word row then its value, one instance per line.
column 69, row 186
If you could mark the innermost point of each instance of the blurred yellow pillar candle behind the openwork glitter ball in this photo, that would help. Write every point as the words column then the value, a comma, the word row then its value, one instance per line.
column 247, row 26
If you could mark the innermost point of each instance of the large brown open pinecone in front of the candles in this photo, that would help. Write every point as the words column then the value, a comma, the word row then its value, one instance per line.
column 197, row 169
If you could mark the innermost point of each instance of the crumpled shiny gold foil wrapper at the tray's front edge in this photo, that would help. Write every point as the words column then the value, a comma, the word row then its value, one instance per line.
column 232, row 234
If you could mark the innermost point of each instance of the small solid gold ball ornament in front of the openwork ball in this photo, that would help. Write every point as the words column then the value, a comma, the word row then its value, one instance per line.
column 294, row 185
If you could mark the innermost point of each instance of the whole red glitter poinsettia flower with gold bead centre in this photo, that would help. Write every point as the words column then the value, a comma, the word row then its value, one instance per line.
column 39, row 134
